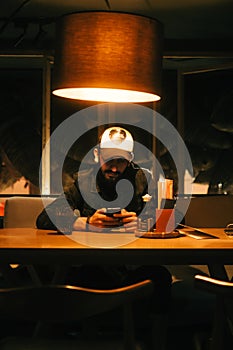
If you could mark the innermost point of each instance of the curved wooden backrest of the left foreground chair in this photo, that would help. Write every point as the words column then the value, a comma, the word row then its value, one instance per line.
column 59, row 303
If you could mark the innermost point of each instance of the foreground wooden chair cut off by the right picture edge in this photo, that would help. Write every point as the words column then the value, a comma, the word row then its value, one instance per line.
column 222, row 330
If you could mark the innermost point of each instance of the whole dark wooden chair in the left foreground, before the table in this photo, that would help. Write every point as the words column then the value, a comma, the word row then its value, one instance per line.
column 59, row 304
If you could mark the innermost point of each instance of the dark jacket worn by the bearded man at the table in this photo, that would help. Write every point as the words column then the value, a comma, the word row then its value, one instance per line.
column 94, row 188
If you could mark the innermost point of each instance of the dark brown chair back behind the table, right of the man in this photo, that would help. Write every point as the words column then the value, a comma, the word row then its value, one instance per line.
column 210, row 211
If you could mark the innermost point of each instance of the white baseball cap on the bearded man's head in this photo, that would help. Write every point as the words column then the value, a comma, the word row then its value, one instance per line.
column 116, row 142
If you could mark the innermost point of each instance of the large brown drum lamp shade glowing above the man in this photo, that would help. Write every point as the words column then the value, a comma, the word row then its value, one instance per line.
column 108, row 57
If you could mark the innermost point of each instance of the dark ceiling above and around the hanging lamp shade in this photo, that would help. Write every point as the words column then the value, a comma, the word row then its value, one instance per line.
column 191, row 24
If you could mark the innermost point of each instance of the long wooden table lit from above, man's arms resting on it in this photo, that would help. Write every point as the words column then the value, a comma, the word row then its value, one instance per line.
column 32, row 246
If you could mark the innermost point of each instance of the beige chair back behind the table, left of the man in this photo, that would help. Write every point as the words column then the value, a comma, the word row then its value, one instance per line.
column 23, row 211
